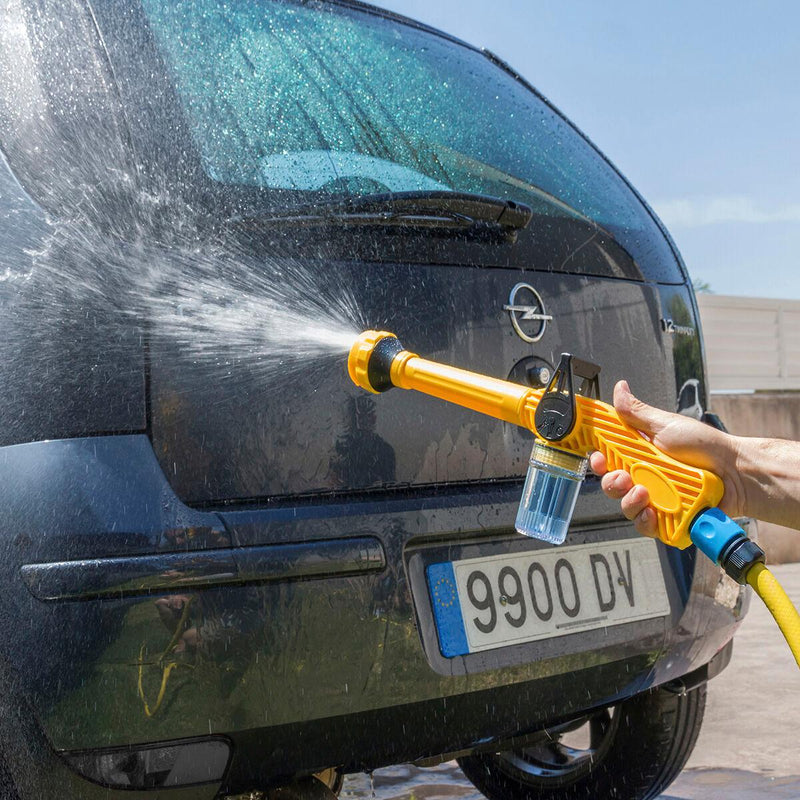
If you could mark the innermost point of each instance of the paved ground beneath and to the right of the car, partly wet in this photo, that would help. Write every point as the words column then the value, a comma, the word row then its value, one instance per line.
column 748, row 749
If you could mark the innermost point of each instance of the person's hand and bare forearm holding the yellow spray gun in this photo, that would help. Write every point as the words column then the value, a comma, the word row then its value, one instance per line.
column 761, row 476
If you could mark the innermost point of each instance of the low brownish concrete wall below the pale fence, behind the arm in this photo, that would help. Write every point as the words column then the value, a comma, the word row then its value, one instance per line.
column 770, row 414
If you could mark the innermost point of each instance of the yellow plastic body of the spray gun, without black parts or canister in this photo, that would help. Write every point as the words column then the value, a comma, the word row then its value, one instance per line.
column 677, row 492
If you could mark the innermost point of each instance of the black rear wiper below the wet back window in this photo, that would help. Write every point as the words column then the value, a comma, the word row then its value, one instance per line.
column 434, row 209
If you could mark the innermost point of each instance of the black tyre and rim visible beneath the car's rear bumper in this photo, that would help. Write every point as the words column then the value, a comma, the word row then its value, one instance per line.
column 632, row 751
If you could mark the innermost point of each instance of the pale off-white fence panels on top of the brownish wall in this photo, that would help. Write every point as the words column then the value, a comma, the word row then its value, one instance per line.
column 751, row 344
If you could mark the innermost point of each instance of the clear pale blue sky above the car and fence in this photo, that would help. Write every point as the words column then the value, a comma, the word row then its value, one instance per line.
column 697, row 103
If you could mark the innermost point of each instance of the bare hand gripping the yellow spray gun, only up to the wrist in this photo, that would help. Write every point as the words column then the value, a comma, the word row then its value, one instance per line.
column 685, row 439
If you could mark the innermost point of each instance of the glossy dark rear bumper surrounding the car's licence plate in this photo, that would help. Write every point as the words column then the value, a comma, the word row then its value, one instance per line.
column 298, row 633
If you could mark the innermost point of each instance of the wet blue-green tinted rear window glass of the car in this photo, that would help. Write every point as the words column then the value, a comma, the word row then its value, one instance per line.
column 317, row 98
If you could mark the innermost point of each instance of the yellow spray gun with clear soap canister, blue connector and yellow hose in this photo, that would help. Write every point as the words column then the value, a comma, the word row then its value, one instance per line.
column 568, row 426
